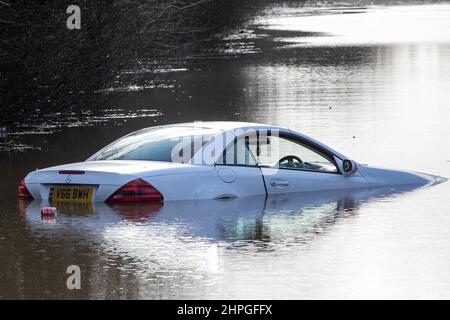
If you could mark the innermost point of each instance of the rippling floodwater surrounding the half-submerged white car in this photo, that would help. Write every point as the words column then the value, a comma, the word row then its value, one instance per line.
column 373, row 83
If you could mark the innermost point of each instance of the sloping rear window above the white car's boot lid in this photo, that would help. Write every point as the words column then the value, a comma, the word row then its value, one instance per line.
column 169, row 144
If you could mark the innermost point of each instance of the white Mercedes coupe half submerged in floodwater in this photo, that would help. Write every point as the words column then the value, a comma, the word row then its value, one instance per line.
column 209, row 160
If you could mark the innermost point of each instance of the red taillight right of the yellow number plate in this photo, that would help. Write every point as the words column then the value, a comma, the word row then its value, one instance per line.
column 136, row 191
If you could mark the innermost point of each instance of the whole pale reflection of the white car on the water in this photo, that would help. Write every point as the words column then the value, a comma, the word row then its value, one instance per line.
column 197, row 235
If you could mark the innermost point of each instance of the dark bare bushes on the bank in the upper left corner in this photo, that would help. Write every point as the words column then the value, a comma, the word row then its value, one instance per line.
column 45, row 67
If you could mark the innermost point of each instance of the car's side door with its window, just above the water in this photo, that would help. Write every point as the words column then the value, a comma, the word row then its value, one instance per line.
column 289, row 164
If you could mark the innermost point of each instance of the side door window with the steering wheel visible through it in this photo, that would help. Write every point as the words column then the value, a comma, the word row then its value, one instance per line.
column 285, row 153
